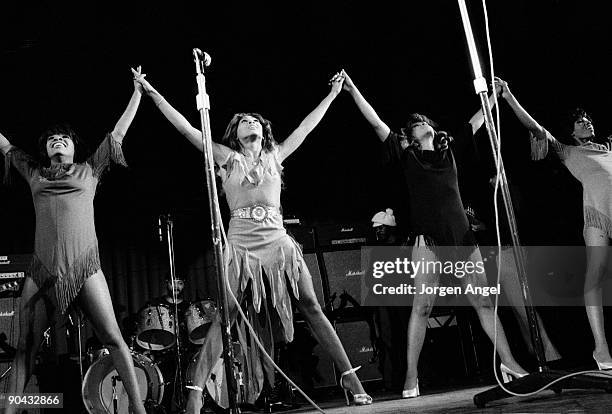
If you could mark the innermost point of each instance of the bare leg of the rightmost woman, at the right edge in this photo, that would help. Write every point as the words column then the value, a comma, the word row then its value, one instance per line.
column 597, row 255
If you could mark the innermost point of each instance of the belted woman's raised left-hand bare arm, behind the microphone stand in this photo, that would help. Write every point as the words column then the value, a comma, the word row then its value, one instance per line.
column 193, row 135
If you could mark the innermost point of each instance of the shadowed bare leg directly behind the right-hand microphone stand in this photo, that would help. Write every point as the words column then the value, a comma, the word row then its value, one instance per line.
column 511, row 289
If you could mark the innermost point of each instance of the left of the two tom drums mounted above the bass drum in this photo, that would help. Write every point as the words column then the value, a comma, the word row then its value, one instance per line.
column 156, row 327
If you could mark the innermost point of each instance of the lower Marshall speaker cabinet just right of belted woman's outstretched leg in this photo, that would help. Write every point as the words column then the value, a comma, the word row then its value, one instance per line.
column 355, row 337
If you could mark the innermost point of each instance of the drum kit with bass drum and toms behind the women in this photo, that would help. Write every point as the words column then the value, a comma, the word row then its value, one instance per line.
column 157, row 348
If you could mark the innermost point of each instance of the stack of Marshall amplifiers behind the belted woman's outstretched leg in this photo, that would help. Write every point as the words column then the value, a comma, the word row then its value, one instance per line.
column 333, row 255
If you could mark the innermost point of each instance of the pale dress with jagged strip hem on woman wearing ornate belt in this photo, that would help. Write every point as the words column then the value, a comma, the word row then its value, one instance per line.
column 255, row 249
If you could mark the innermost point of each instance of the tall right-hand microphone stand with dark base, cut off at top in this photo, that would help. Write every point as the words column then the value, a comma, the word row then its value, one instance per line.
column 544, row 375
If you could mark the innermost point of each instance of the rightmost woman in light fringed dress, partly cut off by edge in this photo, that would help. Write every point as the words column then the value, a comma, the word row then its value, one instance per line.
column 591, row 164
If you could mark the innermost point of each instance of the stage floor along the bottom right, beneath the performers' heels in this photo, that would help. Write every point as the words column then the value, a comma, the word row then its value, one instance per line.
column 455, row 402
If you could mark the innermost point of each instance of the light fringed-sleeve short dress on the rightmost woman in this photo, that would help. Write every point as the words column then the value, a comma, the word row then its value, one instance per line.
column 591, row 164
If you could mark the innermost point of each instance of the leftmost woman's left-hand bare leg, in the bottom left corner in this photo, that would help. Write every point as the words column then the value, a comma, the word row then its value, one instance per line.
column 33, row 320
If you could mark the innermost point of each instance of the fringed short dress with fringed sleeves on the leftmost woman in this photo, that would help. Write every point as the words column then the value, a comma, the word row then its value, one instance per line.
column 65, row 247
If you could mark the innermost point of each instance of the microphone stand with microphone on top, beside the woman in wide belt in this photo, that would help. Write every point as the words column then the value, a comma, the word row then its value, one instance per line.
column 203, row 103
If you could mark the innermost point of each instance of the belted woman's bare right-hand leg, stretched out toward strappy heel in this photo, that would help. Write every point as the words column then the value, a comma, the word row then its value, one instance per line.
column 325, row 333
